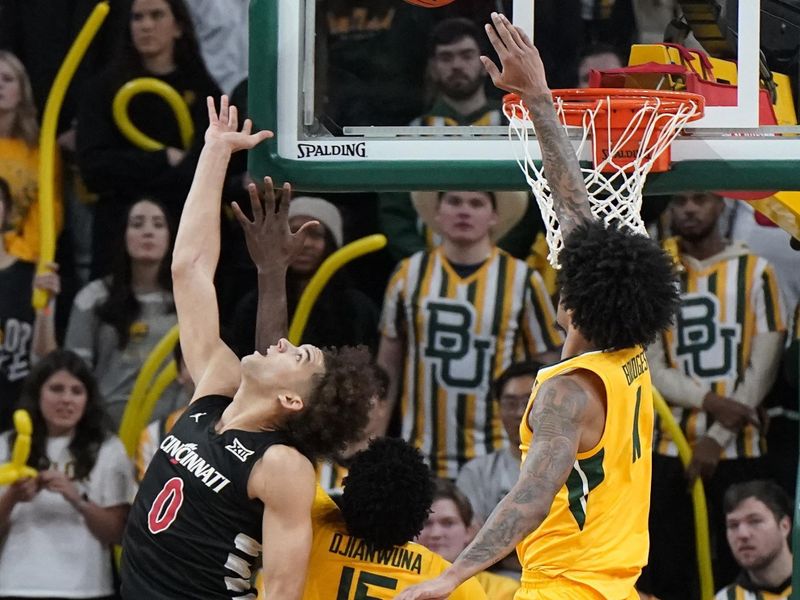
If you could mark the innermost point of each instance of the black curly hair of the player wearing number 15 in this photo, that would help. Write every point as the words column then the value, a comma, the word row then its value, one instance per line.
column 388, row 493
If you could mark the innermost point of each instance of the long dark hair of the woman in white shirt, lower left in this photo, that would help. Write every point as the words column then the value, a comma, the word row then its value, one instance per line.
column 89, row 432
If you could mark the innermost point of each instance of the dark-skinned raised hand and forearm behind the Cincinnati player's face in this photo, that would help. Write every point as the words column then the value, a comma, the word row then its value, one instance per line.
column 272, row 247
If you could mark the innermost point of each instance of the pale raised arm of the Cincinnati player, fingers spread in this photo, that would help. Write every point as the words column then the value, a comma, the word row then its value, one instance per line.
column 196, row 251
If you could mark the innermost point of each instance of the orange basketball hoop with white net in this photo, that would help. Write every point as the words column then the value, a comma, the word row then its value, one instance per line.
column 630, row 130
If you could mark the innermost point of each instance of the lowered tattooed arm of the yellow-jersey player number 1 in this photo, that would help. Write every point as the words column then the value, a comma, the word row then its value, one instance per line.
column 556, row 419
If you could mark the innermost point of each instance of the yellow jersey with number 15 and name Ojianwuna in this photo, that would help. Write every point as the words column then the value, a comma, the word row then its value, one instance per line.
column 343, row 567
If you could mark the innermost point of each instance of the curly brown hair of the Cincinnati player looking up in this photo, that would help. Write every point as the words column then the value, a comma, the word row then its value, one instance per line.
column 339, row 405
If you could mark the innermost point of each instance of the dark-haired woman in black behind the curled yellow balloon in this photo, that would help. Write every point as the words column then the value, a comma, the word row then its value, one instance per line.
column 159, row 43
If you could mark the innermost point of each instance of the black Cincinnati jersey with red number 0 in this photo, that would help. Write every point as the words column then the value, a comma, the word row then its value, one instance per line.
column 193, row 532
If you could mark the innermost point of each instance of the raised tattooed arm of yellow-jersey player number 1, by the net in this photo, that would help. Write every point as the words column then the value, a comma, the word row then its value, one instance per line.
column 523, row 74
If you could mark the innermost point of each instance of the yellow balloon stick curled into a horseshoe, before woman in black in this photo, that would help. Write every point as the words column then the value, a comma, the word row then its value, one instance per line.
column 151, row 85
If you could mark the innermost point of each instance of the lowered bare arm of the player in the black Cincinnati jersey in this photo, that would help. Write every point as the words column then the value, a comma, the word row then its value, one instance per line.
column 284, row 481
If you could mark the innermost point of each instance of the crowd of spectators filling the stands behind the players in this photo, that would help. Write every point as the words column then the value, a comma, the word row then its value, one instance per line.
column 459, row 311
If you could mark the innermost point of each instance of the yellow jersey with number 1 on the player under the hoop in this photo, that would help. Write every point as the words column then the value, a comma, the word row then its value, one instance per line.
column 596, row 531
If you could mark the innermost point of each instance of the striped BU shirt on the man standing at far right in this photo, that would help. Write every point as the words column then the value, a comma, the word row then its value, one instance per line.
column 725, row 302
